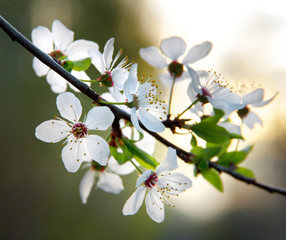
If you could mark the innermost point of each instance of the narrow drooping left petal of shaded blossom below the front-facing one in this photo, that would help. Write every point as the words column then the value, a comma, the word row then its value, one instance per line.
column 86, row 184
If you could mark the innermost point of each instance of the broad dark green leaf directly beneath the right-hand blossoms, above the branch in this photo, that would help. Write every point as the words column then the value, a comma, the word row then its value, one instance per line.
column 210, row 132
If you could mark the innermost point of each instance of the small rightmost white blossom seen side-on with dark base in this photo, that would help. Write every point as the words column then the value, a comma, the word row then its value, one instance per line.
column 249, row 101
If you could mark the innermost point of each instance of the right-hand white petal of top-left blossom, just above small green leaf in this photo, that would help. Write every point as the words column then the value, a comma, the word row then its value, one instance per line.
column 78, row 49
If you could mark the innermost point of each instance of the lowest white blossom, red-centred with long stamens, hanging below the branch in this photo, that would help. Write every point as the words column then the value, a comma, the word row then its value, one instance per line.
column 158, row 185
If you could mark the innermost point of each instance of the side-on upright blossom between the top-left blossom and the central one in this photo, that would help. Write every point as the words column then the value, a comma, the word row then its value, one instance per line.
column 113, row 76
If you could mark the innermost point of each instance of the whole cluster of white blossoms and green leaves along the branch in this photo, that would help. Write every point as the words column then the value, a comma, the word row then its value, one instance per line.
column 124, row 145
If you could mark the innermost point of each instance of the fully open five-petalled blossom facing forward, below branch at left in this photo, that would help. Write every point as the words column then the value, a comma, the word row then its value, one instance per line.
column 80, row 145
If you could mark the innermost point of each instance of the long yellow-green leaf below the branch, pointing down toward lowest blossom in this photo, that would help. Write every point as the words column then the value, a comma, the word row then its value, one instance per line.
column 143, row 158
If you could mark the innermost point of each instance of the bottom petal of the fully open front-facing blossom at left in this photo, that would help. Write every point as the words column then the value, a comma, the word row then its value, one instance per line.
column 74, row 153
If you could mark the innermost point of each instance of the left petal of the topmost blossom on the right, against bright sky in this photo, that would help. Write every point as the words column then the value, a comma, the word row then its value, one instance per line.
column 153, row 56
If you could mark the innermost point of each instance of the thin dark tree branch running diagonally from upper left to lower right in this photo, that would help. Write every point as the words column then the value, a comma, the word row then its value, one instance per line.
column 15, row 35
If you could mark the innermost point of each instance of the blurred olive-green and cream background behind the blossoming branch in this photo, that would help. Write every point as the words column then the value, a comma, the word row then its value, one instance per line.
column 39, row 198
